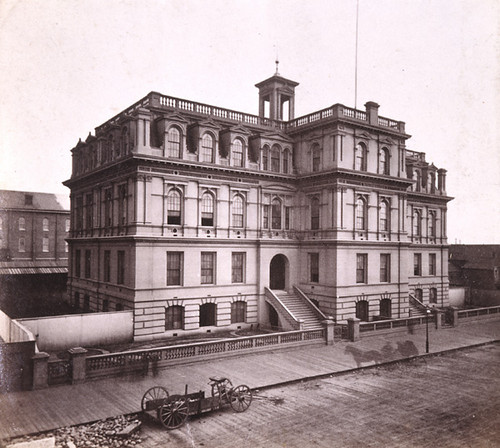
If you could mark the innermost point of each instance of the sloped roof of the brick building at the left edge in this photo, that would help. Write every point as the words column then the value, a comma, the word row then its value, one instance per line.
column 10, row 199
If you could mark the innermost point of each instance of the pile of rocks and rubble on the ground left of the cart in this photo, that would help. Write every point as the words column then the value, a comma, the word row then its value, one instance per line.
column 122, row 431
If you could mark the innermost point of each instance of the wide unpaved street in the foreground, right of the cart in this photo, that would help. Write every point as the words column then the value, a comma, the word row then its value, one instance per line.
column 451, row 400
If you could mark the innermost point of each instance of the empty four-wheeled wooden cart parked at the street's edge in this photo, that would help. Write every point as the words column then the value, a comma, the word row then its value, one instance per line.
column 173, row 410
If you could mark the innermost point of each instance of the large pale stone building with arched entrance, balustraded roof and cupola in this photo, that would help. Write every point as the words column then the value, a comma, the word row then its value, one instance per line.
column 199, row 218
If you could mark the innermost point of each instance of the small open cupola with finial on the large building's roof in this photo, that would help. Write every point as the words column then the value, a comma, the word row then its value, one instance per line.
column 277, row 97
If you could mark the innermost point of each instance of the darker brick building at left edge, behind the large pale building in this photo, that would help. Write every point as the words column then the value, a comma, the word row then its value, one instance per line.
column 33, row 250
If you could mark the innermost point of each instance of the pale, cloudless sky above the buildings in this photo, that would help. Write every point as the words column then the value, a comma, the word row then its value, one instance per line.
column 67, row 66
